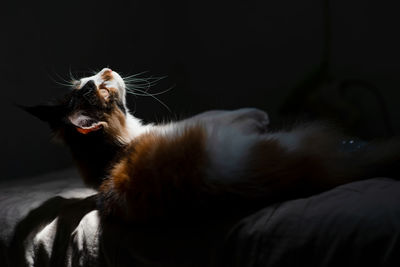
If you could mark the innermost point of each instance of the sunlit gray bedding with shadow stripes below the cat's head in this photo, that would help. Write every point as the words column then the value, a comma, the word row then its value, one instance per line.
column 48, row 220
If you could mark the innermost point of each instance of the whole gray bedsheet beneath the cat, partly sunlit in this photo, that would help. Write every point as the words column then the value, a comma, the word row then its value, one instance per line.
column 52, row 220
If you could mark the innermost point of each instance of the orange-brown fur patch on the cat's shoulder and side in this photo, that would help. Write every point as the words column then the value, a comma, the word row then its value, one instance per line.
column 158, row 174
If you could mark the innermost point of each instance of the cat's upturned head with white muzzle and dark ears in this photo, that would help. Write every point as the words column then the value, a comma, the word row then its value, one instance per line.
column 96, row 105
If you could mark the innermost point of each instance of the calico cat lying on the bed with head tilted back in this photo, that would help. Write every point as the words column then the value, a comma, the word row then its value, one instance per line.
column 148, row 172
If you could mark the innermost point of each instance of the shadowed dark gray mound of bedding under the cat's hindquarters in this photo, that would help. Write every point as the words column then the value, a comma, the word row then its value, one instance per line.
column 356, row 224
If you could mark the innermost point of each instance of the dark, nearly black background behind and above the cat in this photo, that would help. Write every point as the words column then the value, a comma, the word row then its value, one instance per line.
column 287, row 57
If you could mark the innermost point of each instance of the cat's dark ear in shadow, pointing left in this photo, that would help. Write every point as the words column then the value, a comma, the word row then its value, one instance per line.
column 48, row 112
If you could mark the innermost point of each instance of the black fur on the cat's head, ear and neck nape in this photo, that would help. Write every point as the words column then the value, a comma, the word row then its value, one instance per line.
column 94, row 152
